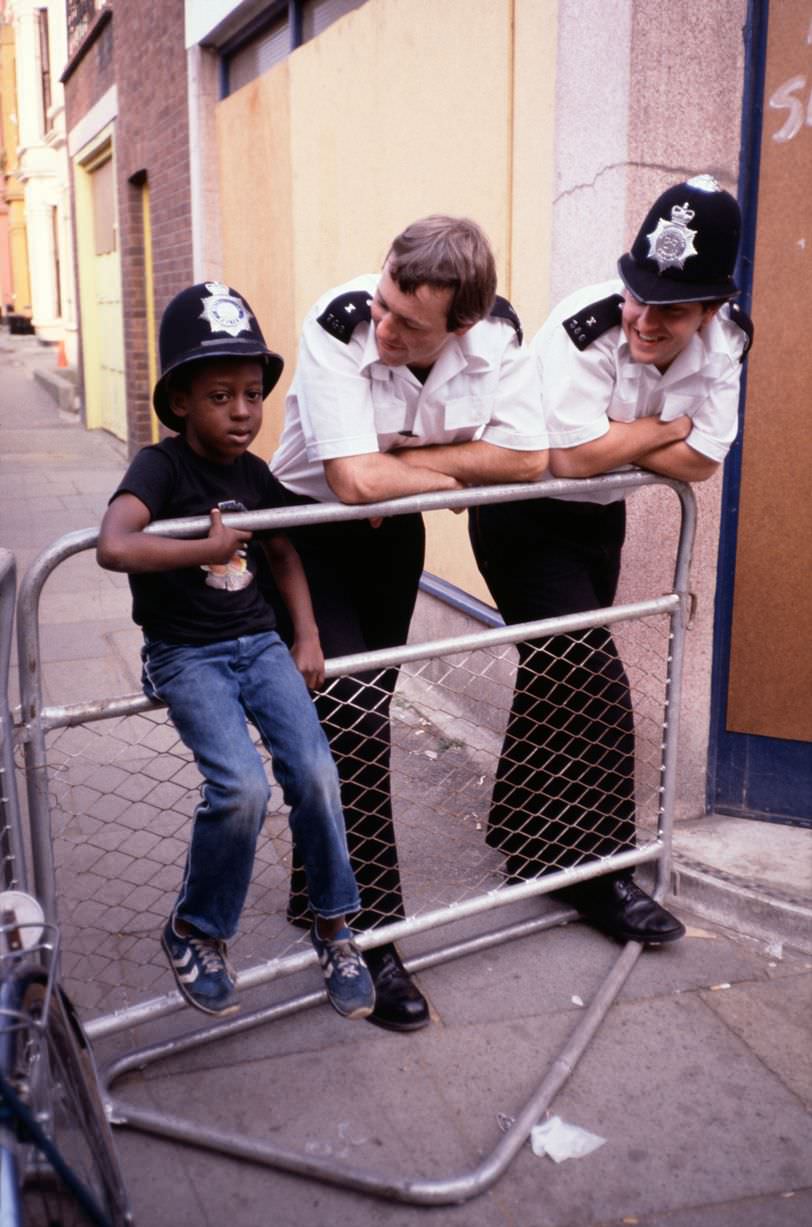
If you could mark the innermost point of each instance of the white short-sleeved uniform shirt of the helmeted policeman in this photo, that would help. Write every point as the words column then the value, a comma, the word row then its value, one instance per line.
column 586, row 390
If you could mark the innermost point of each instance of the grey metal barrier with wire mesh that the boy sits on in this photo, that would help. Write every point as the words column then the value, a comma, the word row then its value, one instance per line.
column 111, row 793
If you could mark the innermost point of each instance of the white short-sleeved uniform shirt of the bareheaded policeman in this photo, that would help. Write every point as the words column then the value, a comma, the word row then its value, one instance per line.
column 345, row 402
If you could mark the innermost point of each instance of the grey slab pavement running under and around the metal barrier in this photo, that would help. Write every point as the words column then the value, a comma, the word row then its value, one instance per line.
column 700, row 1079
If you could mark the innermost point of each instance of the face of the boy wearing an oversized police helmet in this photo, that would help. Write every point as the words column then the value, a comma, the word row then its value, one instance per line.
column 223, row 408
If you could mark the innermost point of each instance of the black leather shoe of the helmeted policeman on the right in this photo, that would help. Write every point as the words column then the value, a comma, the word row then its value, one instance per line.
column 619, row 907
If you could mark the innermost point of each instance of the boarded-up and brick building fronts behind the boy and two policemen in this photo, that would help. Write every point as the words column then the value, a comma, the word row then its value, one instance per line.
column 279, row 147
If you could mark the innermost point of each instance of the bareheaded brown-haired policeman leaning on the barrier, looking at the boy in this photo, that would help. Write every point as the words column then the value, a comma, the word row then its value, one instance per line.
column 409, row 381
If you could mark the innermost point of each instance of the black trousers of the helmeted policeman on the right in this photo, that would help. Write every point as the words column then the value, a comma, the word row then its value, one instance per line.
column 565, row 787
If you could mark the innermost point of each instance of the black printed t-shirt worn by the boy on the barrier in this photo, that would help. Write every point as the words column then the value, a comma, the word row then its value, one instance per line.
column 197, row 604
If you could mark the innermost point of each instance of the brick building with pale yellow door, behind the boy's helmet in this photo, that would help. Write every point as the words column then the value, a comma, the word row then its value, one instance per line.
column 126, row 88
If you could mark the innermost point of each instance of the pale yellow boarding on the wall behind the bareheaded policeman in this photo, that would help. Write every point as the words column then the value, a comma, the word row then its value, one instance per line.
column 394, row 112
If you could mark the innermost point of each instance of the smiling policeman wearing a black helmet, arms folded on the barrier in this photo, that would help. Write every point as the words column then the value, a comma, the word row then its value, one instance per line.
column 641, row 371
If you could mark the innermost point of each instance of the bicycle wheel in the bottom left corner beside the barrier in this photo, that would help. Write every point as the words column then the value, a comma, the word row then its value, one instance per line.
column 57, row 1072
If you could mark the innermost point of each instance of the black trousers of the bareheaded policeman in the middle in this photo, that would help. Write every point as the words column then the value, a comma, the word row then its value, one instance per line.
column 364, row 585
